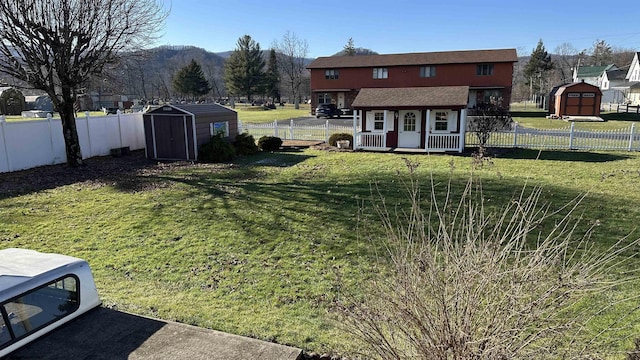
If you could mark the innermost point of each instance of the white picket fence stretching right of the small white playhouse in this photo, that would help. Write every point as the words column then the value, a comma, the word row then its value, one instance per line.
column 627, row 139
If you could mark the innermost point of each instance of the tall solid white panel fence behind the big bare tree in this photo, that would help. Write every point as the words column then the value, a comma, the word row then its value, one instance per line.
column 31, row 143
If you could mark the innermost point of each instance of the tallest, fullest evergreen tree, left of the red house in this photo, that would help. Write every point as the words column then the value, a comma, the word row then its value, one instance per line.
column 244, row 70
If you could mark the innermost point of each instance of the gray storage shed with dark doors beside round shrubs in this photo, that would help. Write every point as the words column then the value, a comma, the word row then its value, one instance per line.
column 176, row 132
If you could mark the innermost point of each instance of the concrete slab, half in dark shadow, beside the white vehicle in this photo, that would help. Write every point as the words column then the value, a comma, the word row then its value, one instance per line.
column 109, row 334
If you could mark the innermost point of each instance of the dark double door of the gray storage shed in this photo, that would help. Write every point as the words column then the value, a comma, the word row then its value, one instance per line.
column 171, row 142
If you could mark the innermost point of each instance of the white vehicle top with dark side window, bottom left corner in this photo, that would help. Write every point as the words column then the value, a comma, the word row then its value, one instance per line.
column 39, row 292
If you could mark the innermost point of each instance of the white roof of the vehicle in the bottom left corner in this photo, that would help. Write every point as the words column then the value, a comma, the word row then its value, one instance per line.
column 18, row 266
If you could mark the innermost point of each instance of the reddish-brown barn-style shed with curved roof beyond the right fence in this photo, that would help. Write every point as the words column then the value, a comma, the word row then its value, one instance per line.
column 575, row 99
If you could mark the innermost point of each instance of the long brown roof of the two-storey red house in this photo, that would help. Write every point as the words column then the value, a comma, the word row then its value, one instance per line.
column 426, row 58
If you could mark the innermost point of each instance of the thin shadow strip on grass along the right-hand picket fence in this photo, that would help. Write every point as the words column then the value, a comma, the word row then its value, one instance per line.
column 555, row 155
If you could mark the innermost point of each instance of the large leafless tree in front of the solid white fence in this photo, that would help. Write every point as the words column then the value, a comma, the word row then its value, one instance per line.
column 57, row 45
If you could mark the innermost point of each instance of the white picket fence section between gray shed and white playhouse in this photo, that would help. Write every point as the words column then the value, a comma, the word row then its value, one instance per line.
column 293, row 131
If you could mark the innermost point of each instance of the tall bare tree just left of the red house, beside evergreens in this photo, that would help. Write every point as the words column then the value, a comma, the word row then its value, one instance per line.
column 292, row 52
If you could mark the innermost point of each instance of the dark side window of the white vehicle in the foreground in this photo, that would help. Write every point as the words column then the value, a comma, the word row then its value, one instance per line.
column 42, row 306
